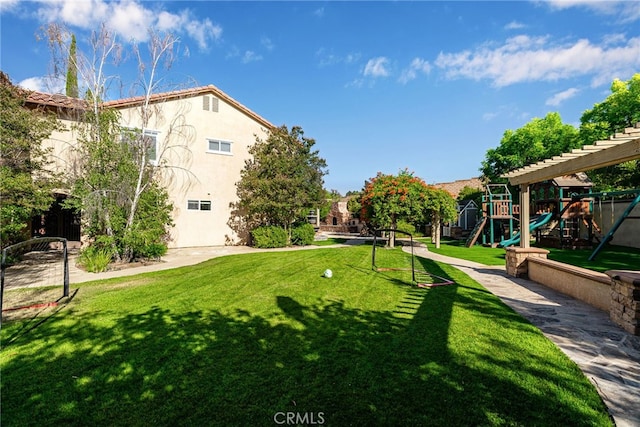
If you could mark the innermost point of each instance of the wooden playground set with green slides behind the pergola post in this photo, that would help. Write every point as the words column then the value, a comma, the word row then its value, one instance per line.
column 564, row 216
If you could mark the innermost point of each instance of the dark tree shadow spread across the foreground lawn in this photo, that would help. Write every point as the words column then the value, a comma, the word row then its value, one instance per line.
column 207, row 367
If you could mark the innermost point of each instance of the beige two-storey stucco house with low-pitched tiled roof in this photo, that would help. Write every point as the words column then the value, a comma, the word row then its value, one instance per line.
column 201, row 136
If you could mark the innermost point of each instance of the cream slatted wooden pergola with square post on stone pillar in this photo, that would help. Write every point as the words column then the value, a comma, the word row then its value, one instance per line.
column 620, row 148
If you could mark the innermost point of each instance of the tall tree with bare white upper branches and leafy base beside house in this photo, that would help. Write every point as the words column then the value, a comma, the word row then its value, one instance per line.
column 115, row 174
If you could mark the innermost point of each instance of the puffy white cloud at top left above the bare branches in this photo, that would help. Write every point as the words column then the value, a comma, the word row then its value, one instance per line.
column 130, row 19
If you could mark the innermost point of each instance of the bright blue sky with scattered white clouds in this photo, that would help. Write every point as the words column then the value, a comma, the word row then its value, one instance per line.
column 381, row 86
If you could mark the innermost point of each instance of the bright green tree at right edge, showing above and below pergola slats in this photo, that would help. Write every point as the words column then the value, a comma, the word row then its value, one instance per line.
column 621, row 109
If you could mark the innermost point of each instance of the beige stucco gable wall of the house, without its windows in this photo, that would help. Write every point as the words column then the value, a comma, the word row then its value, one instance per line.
column 191, row 172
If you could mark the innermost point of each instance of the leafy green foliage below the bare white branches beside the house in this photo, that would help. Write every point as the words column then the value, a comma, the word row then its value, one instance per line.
column 105, row 187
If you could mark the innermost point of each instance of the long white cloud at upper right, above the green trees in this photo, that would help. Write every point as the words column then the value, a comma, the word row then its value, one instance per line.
column 525, row 59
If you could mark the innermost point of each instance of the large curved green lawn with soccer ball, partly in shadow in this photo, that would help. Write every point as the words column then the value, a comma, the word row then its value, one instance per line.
column 236, row 340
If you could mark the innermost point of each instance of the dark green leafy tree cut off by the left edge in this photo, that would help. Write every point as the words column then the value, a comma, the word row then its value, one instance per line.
column 26, row 183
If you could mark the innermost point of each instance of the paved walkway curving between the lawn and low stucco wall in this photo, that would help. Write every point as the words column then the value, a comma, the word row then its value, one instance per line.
column 608, row 355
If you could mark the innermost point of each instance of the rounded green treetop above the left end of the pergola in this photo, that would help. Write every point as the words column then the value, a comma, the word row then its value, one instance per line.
column 537, row 140
